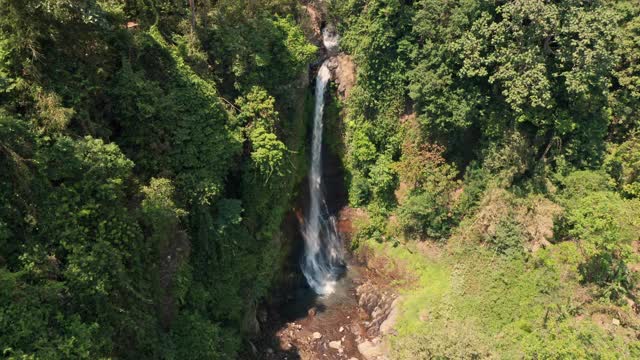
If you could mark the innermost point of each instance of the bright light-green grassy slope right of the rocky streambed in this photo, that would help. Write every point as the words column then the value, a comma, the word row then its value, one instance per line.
column 471, row 303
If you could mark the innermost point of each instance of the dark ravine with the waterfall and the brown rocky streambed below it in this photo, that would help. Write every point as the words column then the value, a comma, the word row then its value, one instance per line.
column 327, row 304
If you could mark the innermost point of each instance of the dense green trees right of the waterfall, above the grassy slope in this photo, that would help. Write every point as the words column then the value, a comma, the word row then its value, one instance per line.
column 521, row 91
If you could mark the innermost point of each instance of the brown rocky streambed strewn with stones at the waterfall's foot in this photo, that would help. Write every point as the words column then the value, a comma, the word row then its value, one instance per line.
column 351, row 323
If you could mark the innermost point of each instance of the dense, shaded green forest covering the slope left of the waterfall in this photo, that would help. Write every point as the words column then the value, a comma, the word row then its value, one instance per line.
column 143, row 163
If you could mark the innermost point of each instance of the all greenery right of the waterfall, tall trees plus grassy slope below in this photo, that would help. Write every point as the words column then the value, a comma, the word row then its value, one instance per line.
column 506, row 134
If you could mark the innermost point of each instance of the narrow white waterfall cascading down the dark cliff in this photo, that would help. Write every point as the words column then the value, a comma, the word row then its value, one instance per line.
column 323, row 258
